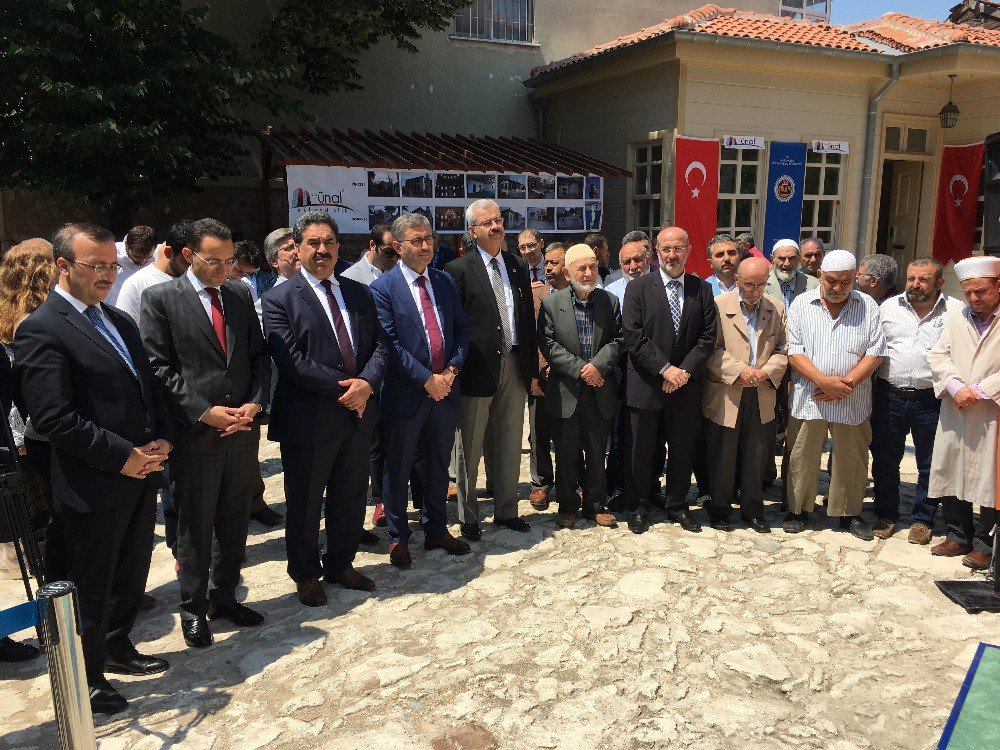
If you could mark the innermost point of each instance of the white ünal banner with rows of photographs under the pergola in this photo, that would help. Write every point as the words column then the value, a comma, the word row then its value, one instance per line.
column 358, row 198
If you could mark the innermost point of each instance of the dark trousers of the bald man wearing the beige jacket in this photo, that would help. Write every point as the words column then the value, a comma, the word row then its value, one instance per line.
column 736, row 457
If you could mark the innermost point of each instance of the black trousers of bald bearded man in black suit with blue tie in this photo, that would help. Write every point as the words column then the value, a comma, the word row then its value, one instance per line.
column 678, row 424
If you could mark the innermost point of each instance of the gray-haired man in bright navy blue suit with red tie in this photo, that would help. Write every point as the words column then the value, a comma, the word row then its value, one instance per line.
column 427, row 342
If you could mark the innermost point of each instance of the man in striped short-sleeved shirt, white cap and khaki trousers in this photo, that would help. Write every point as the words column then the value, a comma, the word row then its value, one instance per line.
column 835, row 344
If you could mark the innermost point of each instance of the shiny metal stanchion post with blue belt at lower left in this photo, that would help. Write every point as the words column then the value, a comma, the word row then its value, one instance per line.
column 70, row 693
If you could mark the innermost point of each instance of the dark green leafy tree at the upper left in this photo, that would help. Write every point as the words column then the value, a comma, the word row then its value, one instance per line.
column 114, row 101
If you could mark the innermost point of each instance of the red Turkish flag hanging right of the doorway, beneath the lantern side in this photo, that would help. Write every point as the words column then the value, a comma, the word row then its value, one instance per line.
column 958, row 196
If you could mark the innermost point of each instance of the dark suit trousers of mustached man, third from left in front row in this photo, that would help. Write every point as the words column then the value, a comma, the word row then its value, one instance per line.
column 327, row 480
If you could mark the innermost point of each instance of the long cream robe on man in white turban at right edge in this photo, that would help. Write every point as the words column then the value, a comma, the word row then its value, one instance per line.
column 964, row 463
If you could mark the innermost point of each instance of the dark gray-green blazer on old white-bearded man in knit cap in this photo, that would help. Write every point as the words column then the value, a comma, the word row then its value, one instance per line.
column 559, row 343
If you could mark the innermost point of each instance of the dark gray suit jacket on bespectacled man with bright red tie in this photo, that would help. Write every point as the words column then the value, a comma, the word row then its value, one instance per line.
column 186, row 354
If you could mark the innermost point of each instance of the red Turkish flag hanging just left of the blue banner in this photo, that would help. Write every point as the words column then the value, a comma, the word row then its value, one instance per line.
column 696, row 196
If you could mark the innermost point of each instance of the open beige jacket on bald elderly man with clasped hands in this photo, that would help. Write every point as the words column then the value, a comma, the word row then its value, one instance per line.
column 721, row 401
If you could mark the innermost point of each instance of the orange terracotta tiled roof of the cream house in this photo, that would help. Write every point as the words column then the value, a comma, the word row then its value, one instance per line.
column 895, row 30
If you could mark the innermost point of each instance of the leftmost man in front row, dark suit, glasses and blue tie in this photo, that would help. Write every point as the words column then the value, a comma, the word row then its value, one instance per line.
column 89, row 389
